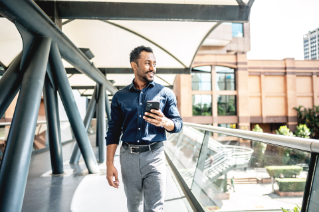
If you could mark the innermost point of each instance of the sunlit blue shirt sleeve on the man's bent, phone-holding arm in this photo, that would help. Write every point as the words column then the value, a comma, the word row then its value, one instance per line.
column 171, row 112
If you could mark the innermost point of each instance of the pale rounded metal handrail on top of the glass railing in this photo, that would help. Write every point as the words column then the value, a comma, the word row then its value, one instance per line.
column 309, row 145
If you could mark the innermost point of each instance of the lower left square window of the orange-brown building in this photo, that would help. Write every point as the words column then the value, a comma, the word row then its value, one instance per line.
column 202, row 105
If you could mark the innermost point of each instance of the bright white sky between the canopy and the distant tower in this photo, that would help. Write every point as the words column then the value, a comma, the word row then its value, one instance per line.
column 277, row 28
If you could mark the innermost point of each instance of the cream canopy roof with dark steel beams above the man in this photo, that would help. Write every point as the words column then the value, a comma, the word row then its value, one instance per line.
column 174, row 29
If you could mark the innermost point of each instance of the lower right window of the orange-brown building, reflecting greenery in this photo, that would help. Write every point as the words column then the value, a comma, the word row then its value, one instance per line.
column 226, row 105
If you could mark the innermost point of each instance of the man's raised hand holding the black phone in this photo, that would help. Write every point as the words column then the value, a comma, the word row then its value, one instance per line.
column 159, row 120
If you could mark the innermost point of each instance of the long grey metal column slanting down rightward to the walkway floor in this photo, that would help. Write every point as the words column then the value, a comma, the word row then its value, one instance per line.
column 72, row 111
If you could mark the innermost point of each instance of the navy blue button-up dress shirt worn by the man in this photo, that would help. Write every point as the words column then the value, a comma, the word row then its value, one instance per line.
column 127, row 111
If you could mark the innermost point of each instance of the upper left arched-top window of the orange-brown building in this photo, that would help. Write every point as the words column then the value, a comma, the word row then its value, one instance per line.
column 202, row 78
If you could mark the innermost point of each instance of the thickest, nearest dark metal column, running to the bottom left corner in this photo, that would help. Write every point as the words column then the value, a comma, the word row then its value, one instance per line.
column 16, row 160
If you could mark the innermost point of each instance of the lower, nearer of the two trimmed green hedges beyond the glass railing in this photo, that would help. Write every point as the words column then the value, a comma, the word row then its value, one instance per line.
column 291, row 184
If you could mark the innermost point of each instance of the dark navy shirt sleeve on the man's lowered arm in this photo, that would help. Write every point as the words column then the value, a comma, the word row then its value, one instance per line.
column 115, row 124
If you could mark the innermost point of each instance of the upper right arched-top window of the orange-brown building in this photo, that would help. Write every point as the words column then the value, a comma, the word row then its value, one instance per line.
column 225, row 78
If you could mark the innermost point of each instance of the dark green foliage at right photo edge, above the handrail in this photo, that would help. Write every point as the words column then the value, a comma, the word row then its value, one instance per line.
column 309, row 117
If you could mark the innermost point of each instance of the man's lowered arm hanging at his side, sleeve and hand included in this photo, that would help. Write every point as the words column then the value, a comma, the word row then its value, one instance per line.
column 112, row 141
